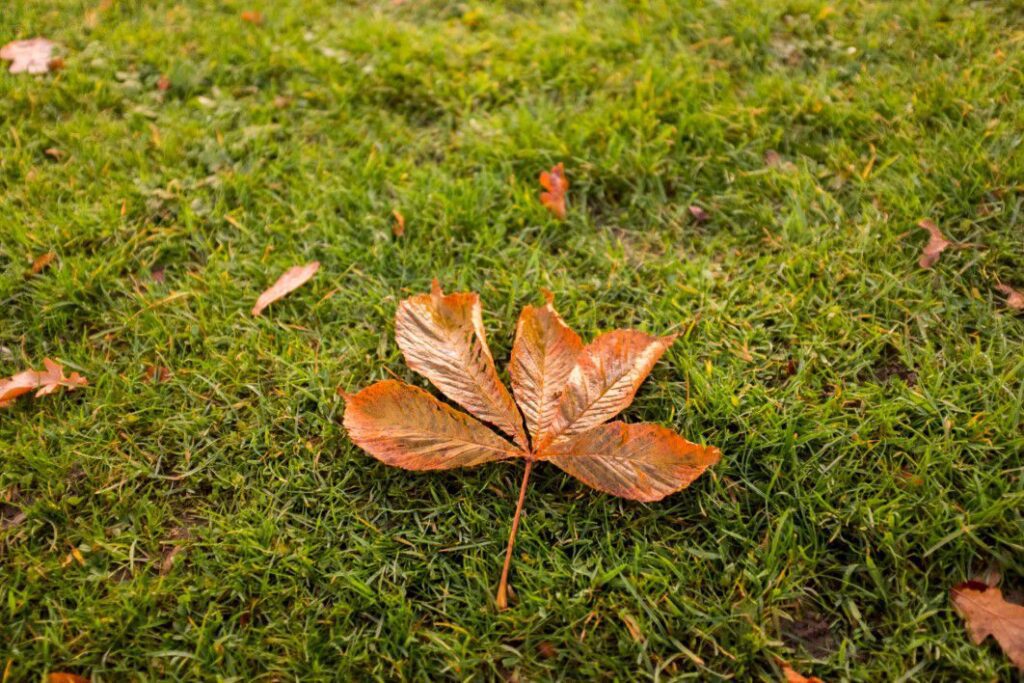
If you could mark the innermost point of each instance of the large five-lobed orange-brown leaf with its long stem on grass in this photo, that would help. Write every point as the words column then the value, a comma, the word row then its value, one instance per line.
column 565, row 390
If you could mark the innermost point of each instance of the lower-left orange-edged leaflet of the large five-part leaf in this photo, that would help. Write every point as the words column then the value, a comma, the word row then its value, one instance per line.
column 405, row 426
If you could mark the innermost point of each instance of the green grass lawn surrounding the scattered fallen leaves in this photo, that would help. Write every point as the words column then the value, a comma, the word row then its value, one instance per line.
column 870, row 413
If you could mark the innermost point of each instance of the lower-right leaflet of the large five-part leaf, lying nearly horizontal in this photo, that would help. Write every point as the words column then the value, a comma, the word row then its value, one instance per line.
column 642, row 462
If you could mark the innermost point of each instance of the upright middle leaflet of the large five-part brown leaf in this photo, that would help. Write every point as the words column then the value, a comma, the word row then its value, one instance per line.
column 543, row 356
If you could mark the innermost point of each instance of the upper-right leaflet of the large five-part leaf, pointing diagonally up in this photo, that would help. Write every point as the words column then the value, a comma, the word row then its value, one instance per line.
column 606, row 379
